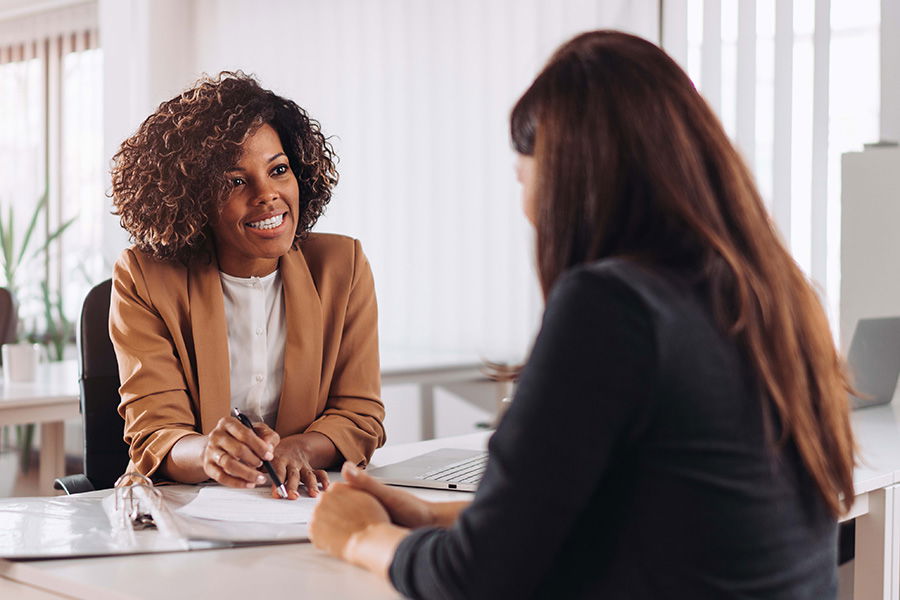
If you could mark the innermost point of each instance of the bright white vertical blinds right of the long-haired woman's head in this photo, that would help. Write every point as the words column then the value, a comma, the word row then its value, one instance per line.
column 795, row 83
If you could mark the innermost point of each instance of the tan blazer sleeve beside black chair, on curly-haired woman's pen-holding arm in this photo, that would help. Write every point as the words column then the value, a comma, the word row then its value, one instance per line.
column 155, row 402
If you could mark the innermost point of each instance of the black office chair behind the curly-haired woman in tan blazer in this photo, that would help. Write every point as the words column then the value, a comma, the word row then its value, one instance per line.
column 105, row 452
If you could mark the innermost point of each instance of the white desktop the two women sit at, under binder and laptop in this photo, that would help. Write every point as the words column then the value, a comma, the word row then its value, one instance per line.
column 275, row 571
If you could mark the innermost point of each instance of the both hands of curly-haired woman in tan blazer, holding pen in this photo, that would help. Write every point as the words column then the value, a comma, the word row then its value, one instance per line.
column 233, row 456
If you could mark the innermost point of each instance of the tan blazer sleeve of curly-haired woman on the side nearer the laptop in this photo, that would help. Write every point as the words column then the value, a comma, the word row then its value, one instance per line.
column 354, row 413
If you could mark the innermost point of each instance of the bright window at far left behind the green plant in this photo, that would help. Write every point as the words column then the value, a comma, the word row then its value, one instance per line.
column 50, row 147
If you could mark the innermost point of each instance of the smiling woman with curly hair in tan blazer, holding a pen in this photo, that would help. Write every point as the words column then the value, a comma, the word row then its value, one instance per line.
column 226, row 300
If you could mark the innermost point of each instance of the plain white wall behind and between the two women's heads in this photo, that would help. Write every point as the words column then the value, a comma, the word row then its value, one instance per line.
column 416, row 94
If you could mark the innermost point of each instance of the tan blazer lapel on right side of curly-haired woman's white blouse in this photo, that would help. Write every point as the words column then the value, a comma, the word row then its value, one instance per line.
column 298, row 405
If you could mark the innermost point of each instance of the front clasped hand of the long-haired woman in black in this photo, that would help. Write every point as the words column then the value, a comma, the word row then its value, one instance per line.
column 339, row 515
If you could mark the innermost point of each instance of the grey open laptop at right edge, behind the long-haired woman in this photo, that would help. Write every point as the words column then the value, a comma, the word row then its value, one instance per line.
column 874, row 361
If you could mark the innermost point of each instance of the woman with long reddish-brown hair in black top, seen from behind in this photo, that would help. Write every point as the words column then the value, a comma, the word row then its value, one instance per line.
column 680, row 429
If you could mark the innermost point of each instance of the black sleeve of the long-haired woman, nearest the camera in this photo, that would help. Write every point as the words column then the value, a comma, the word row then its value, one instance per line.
column 580, row 405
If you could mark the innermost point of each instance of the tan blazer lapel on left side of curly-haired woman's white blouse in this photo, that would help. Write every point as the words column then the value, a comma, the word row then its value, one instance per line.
column 210, row 335
